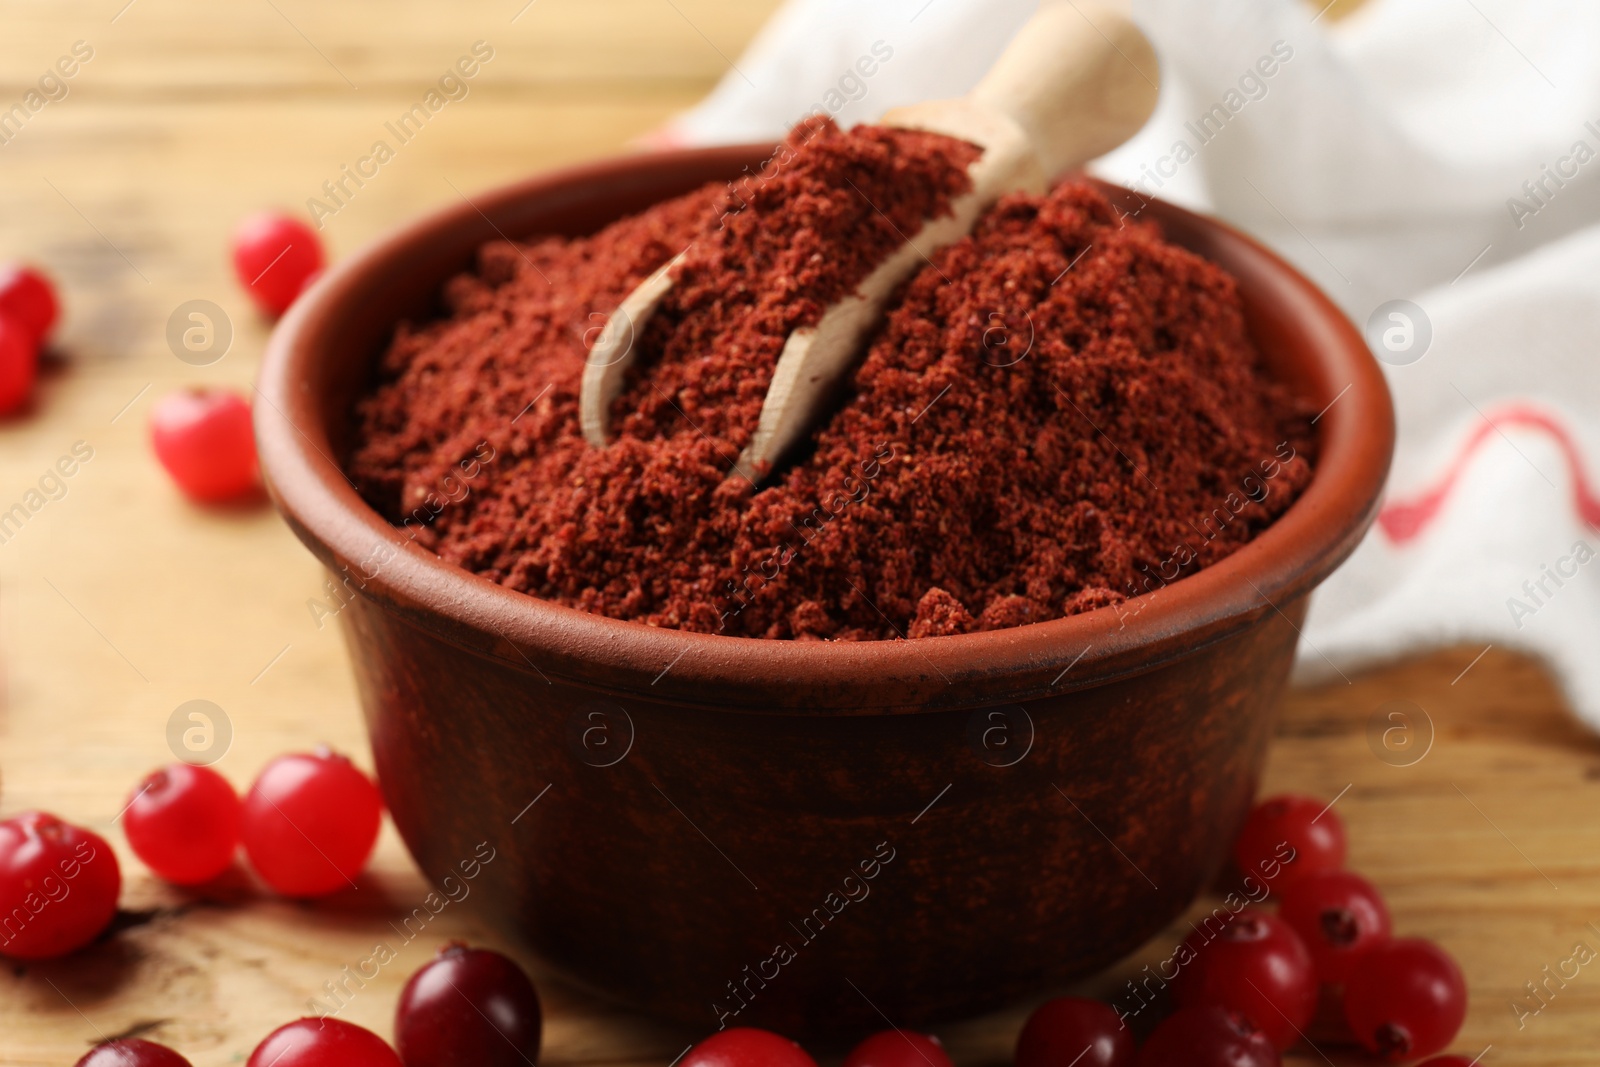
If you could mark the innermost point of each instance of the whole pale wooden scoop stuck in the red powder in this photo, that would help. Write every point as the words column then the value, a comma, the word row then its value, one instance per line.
column 1078, row 81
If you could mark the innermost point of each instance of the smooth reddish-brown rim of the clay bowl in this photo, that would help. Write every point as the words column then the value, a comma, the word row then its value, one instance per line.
column 620, row 658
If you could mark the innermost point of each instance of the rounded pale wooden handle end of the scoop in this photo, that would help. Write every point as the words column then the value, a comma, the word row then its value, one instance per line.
column 1079, row 78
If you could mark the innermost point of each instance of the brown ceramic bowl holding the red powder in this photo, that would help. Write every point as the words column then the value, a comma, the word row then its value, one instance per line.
column 809, row 837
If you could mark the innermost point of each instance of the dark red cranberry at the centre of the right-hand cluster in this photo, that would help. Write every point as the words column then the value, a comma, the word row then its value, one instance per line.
column 1255, row 965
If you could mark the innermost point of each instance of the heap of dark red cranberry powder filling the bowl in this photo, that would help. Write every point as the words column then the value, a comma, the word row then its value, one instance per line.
column 1060, row 412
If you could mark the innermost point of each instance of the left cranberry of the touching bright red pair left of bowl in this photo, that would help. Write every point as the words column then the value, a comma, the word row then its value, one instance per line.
column 183, row 823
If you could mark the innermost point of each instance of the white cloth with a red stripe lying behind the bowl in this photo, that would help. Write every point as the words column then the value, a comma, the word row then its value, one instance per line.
column 1444, row 153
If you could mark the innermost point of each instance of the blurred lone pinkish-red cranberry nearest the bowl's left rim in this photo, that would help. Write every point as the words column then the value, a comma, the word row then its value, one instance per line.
column 206, row 442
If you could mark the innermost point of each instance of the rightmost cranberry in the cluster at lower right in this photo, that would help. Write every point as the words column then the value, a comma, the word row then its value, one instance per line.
column 1406, row 999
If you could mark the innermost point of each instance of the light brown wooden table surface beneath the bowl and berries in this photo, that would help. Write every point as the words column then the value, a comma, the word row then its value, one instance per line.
column 121, row 601
